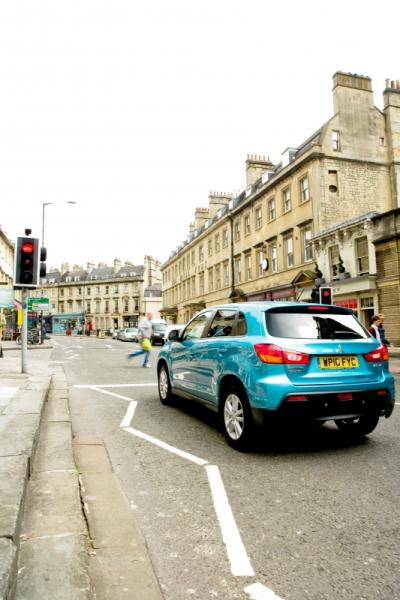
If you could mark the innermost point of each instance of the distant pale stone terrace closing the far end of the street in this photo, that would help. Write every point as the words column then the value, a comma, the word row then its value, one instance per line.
column 106, row 297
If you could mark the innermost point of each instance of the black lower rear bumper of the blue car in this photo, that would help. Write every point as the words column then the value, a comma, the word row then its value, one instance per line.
column 326, row 406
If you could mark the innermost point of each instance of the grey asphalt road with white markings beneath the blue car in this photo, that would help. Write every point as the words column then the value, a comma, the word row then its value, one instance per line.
column 306, row 516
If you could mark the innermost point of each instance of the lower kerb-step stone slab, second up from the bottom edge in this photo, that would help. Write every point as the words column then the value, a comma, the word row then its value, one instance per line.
column 53, row 506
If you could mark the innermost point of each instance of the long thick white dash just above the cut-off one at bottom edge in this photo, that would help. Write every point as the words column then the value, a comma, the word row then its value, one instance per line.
column 240, row 562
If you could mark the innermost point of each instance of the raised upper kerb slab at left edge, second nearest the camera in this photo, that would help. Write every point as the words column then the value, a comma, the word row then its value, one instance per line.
column 13, row 478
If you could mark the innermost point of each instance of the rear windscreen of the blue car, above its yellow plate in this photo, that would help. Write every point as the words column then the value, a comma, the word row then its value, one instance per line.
column 314, row 326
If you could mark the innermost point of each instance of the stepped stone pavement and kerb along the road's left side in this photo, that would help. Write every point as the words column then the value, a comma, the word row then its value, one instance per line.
column 66, row 528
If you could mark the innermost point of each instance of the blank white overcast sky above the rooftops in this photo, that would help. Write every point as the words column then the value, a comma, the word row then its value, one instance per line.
column 135, row 111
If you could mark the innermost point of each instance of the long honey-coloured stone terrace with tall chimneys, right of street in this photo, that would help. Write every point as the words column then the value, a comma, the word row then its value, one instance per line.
column 264, row 242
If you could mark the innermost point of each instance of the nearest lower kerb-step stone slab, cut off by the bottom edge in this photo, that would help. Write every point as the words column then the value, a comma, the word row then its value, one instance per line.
column 47, row 575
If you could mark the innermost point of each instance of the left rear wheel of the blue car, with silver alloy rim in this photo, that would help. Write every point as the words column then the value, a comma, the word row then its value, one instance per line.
column 237, row 420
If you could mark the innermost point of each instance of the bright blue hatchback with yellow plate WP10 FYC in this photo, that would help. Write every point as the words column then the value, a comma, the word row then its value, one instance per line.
column 253, row 362
